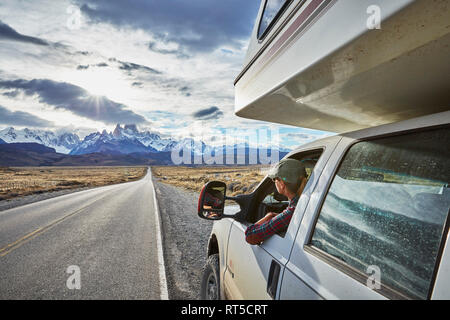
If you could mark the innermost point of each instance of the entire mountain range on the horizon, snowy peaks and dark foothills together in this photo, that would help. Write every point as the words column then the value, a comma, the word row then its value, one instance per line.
column 125, row 145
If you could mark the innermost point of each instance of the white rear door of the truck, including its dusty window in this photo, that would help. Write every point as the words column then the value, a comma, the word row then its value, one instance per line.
column 378, row 221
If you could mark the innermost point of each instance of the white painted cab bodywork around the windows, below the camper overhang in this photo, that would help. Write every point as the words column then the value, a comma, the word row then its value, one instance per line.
column 304, row 274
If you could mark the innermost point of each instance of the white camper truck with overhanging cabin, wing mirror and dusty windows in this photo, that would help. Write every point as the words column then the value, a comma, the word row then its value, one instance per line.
column 372, row 221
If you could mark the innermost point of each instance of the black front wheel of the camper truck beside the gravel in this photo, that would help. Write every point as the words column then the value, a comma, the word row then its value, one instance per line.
column 210, row 287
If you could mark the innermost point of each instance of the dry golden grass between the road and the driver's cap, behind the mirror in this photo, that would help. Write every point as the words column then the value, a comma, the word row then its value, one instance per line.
column 239, row 180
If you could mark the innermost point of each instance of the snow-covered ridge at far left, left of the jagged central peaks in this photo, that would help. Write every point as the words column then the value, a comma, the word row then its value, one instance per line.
column 62, row 143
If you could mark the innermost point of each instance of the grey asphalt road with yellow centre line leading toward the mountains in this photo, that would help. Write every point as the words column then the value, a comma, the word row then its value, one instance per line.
column 109, row 233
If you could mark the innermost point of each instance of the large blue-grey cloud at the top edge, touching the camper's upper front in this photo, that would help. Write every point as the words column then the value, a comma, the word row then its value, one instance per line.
column 198, row 26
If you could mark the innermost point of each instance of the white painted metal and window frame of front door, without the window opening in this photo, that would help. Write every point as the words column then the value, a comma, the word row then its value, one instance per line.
column 247, row 278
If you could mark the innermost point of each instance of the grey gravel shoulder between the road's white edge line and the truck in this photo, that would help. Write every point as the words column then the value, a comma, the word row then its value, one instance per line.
column 185, row 239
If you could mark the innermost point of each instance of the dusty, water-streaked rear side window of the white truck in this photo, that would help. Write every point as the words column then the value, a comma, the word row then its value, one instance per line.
column 387, row 207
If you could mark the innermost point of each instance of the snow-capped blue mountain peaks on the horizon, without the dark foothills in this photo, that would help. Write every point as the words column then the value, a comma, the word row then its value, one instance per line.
column 126, row 140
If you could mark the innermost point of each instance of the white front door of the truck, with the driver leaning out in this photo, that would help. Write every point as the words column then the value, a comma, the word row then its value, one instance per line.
column 254, row 271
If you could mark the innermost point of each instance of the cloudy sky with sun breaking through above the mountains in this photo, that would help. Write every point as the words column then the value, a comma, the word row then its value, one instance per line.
column 167, row 66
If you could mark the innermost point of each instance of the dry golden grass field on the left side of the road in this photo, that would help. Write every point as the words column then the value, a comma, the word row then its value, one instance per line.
column 21, row 181
